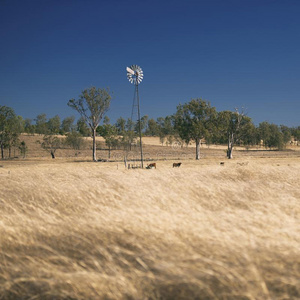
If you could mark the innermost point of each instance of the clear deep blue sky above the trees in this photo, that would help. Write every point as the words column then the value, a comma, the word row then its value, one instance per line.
column 241, row 53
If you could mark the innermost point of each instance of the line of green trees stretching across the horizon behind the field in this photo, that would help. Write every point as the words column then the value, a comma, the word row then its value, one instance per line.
column 194, row 121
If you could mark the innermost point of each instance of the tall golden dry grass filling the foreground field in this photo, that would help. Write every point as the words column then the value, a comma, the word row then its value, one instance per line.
column 72, row 230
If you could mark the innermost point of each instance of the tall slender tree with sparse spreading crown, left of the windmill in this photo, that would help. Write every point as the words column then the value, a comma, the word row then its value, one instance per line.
column 92, row 105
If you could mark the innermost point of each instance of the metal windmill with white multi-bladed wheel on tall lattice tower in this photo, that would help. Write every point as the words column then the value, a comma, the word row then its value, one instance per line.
column 135, row 76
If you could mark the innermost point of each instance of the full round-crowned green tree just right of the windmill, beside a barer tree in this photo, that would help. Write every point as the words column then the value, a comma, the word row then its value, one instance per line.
column 195, row 121
